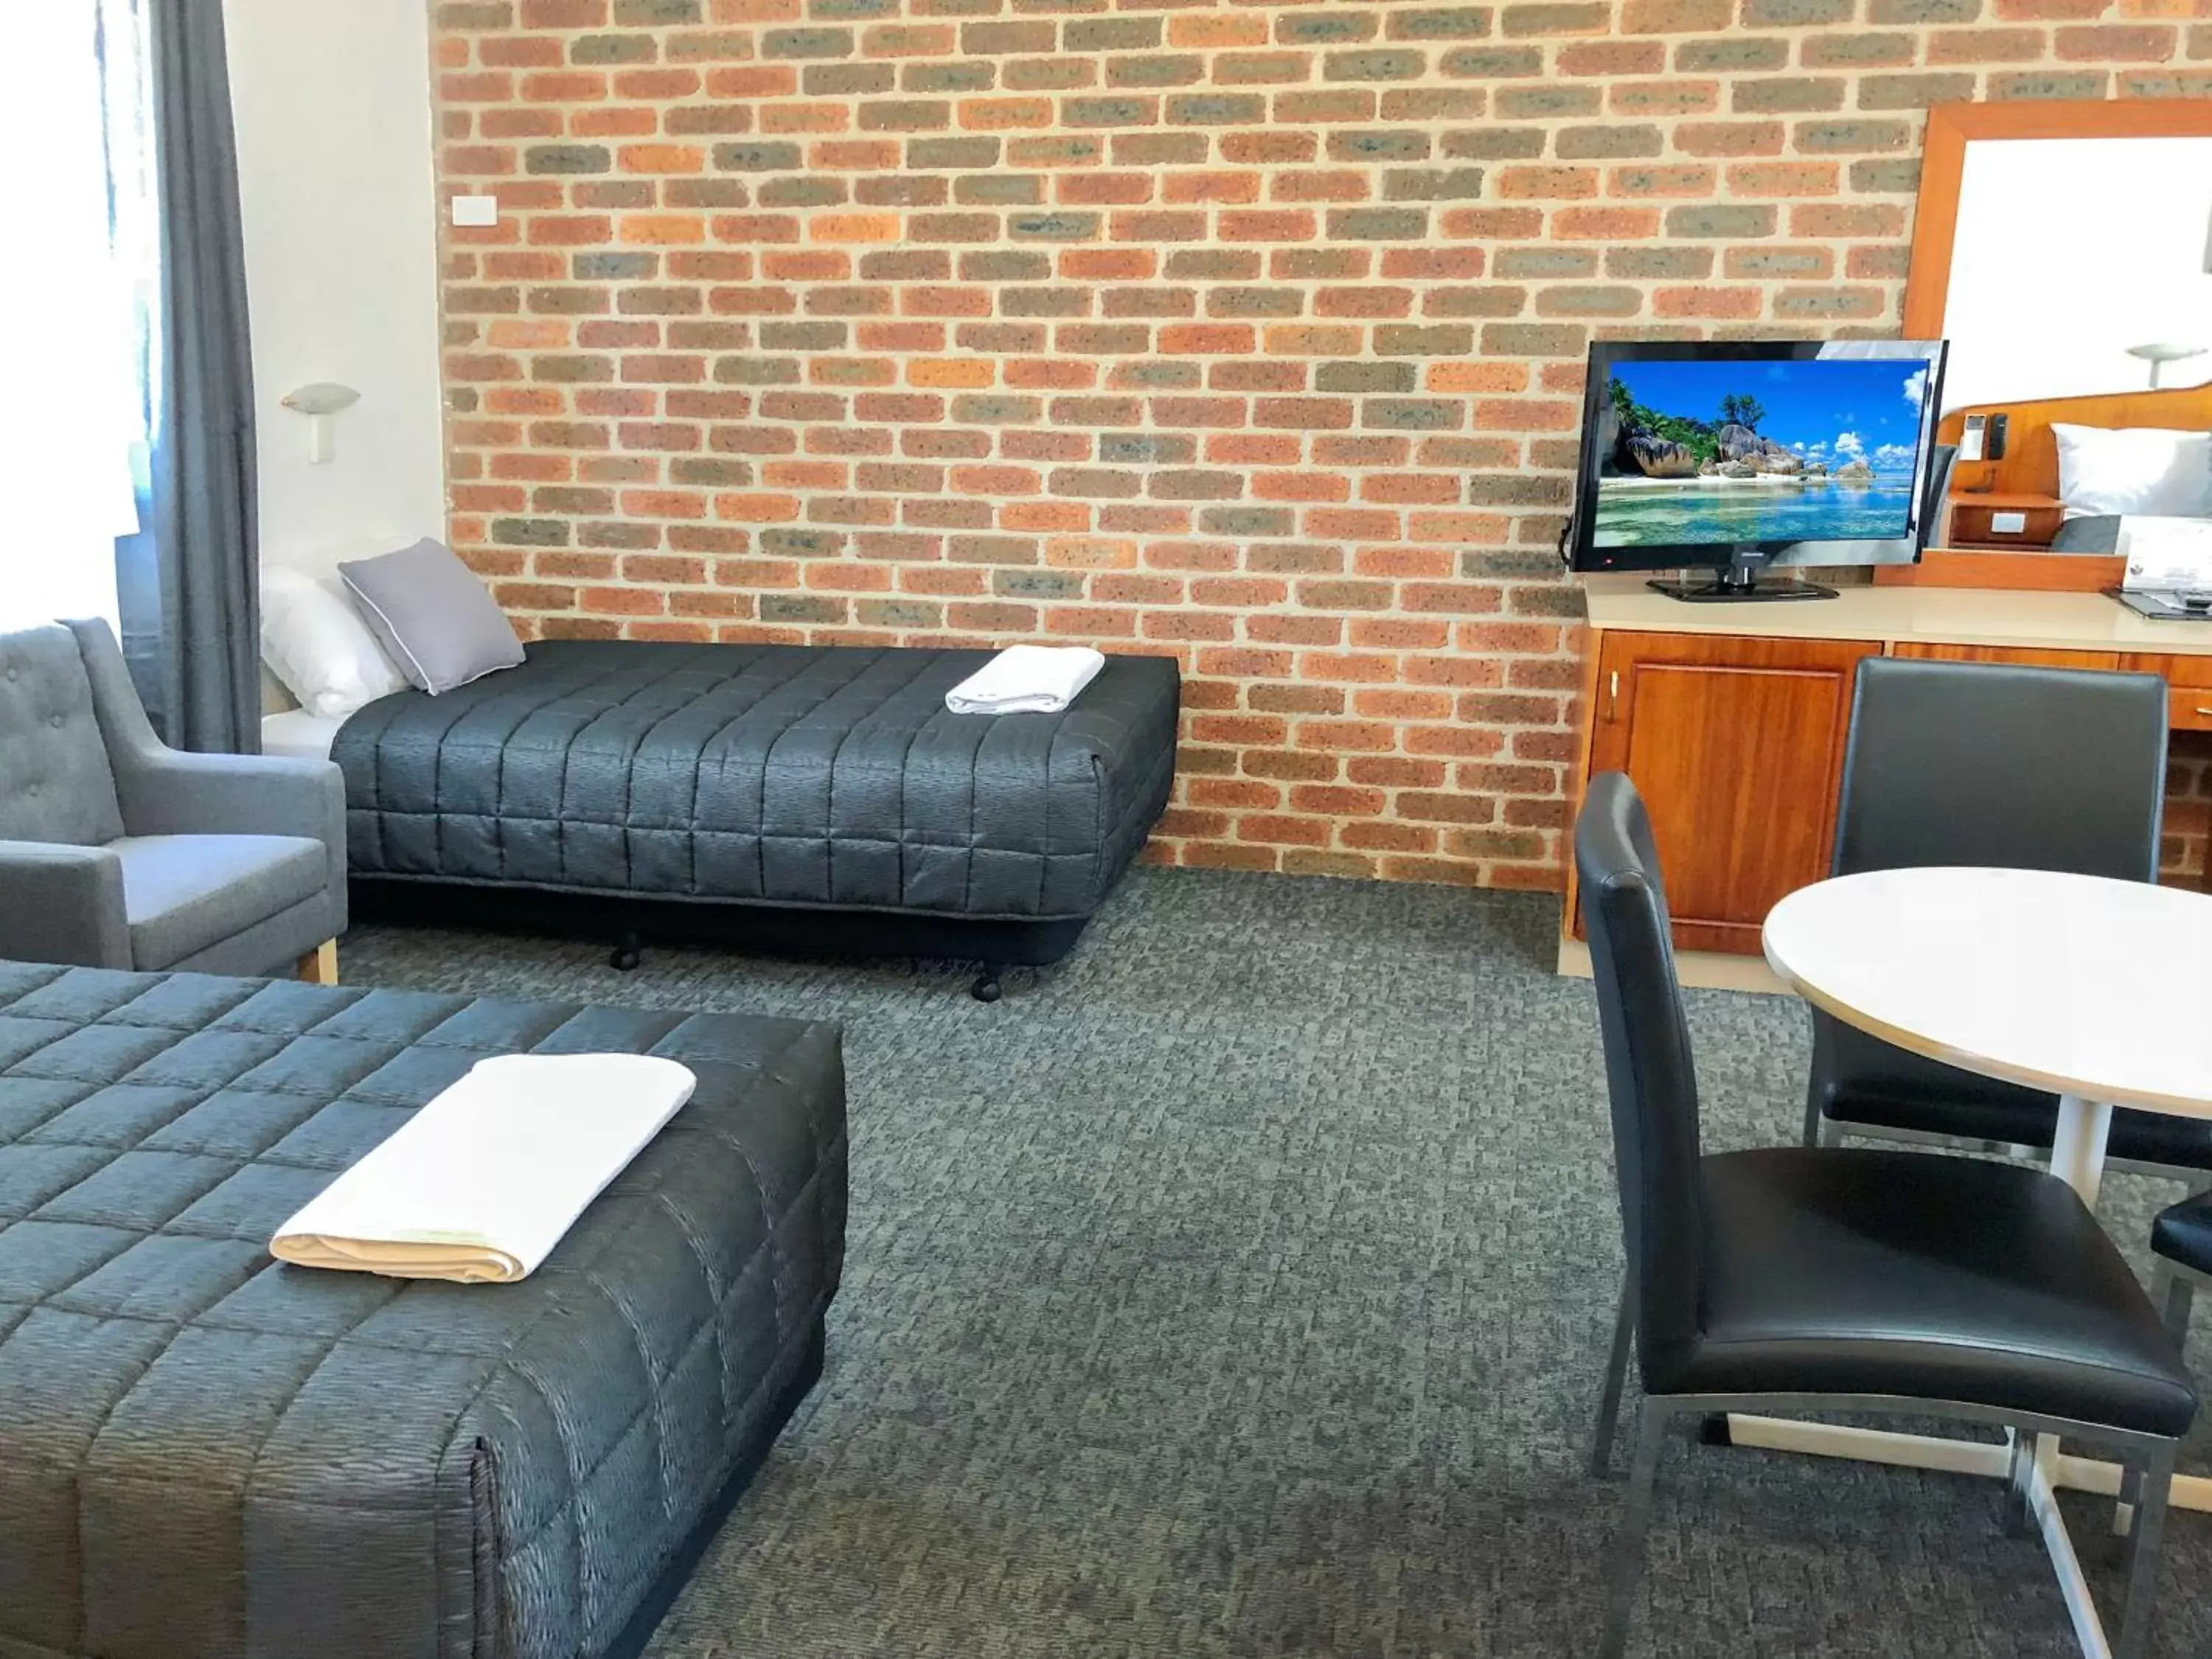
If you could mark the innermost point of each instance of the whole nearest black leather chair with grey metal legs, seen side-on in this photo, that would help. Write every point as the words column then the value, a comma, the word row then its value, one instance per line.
column 1846, row 1280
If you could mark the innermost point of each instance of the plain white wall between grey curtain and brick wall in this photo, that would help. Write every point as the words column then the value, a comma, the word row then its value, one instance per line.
column 342, row 267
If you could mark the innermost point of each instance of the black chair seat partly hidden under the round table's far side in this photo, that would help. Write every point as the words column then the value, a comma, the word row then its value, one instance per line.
column 1872, row 1083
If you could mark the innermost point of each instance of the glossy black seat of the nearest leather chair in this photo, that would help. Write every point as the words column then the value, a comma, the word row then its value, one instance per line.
column 1841, row 1271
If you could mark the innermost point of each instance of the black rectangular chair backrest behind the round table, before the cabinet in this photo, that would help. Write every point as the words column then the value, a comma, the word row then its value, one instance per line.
column 1987, row 764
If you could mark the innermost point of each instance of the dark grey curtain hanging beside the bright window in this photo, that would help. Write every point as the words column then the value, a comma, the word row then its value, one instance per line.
column 187, row 585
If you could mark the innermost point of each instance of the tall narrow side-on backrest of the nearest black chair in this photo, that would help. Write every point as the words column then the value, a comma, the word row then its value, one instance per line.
column 1649, row 1067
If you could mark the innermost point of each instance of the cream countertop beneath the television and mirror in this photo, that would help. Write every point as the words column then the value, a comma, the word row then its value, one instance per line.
column 1937, row 616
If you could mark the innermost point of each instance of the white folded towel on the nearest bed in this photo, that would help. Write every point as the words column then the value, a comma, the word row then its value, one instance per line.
column 490, row 1176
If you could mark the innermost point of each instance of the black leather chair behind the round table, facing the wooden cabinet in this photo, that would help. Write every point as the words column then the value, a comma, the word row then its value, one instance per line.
column 1985, row 764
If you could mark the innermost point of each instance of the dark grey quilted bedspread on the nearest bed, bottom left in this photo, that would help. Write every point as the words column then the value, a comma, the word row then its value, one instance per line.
column 213, row 1457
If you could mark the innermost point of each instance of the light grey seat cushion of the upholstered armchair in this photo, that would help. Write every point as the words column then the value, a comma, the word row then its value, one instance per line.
column 189, row 893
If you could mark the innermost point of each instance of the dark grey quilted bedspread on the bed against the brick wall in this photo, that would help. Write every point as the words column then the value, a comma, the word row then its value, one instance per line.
column 764, row 773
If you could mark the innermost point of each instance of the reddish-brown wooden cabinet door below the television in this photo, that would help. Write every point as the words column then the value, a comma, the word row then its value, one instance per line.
column 1738, row 749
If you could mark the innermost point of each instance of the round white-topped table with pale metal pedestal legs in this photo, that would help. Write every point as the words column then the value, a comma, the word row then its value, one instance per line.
column 2089, row 988
